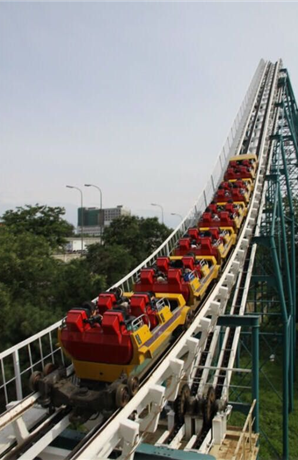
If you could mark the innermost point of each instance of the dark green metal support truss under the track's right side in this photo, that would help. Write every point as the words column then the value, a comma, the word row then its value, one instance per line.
column 274, row 279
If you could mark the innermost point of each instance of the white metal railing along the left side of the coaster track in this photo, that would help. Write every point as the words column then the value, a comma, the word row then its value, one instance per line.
column 18, row 362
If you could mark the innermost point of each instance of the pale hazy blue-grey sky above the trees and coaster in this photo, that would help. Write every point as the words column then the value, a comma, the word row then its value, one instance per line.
column 136, row 98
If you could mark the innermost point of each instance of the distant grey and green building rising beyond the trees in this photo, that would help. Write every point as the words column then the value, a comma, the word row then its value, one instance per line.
column 94, row 220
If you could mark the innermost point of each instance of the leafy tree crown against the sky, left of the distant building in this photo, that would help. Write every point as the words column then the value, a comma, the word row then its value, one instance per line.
column 40, row 220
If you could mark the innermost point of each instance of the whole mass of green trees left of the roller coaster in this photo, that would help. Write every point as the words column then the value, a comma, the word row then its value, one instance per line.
column 37, row 290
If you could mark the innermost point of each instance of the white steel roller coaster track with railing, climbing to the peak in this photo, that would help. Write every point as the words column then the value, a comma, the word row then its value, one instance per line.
column 190, row 359
